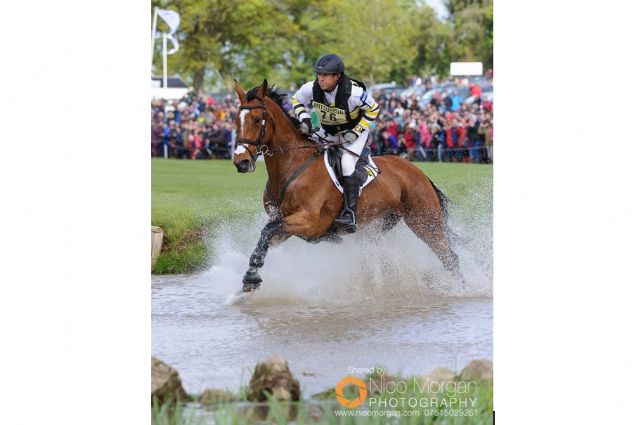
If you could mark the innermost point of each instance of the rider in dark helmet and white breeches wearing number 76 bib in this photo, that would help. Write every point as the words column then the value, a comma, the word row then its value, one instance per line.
column 346, row 111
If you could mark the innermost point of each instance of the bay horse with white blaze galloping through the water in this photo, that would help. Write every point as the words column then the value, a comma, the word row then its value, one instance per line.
column 301, row 199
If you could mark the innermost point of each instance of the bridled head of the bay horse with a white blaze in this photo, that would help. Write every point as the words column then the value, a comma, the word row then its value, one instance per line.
column 254, row 128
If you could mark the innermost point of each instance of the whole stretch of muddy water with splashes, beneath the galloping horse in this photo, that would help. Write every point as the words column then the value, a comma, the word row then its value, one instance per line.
column 374, row 300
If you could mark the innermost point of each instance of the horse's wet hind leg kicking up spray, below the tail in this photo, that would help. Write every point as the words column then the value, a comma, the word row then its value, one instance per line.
column 432, row 231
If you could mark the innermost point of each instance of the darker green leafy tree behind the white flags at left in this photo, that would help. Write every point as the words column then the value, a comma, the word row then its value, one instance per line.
column 237, row 39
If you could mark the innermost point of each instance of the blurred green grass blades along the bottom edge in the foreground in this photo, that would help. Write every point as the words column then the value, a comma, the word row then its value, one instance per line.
column 477, row 410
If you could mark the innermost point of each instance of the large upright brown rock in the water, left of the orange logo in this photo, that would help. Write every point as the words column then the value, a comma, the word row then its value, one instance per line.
column 274, row 377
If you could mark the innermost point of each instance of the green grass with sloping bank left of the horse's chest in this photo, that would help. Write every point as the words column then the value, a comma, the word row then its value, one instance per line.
column 189, row 198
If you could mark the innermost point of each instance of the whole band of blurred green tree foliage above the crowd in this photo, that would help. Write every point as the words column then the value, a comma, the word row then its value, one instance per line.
column 379, row 40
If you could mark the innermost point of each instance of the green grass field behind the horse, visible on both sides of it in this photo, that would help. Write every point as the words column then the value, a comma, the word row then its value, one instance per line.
column 190, row 198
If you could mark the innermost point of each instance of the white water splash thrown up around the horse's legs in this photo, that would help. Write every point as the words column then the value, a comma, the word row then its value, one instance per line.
column 367, row 266
